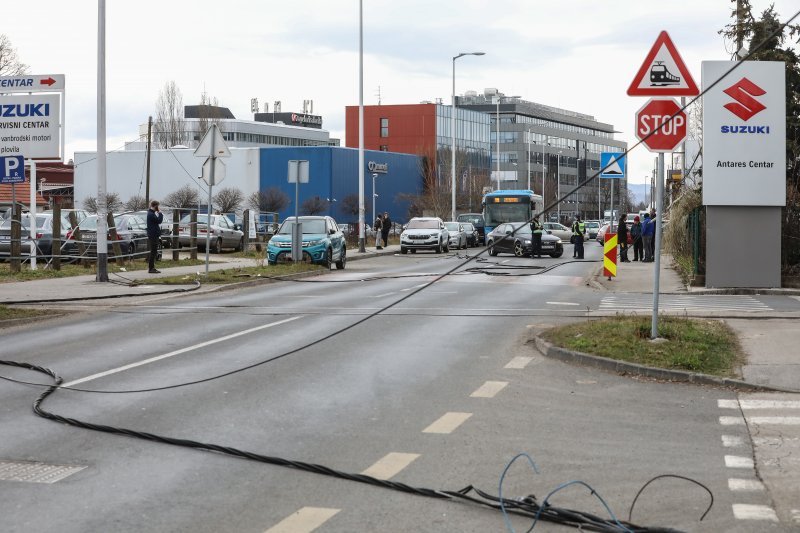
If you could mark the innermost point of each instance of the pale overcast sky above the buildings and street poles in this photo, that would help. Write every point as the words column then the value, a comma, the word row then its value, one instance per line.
column 579, row 55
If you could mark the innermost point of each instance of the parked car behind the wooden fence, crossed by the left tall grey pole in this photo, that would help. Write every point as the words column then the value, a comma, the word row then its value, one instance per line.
column 131, row 233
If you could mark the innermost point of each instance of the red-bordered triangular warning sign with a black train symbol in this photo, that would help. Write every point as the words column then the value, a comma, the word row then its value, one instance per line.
column 663, row 72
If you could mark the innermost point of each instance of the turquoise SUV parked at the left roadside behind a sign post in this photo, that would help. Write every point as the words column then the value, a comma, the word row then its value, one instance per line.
column 323, row 242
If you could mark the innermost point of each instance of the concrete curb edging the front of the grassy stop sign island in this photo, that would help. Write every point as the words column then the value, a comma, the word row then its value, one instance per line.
column 622, row 367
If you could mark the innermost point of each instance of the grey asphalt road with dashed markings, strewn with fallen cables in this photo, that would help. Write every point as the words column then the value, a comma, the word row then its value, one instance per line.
column 438, row 391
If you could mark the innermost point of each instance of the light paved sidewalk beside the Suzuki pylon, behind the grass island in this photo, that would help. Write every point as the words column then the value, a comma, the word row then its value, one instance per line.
column 770, row 344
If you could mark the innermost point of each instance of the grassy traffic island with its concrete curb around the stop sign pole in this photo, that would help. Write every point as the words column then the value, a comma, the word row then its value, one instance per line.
column 690, row 350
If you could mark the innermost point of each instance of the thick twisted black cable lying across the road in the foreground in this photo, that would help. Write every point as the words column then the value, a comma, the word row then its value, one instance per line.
column 527, row 506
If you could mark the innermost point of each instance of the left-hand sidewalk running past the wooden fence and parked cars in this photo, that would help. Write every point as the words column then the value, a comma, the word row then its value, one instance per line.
column 120, row 285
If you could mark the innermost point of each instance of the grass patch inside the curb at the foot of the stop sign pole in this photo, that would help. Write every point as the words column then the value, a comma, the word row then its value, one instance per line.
column 696, row 345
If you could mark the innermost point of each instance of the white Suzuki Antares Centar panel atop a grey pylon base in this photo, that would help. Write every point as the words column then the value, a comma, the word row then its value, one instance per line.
column 744, row 134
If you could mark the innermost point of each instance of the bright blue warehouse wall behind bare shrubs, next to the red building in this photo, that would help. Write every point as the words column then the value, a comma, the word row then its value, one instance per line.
column 333, row 175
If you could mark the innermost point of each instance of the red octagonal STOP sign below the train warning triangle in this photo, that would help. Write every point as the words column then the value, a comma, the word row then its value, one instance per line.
column 661, row 124
